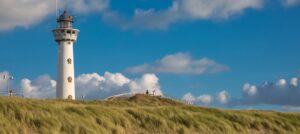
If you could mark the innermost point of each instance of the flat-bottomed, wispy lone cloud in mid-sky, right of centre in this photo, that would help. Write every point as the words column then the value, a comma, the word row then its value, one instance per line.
column 180, row 63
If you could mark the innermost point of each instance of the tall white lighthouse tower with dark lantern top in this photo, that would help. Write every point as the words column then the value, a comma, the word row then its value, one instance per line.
column 65, row 36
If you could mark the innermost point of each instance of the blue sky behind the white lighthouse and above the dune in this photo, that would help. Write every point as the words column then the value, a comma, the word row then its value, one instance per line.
column 256, row 41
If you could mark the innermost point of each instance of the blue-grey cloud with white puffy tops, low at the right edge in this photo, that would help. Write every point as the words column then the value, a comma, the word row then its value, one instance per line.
column 279, row 93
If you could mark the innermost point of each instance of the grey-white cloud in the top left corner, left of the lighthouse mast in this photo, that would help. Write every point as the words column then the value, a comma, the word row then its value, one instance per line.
column 22, row 13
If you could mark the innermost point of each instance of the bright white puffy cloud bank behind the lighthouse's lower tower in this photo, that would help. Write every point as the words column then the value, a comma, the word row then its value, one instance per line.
column 93, row 86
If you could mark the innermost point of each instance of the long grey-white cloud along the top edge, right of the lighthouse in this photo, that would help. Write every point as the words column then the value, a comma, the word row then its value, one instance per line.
column 182, row 10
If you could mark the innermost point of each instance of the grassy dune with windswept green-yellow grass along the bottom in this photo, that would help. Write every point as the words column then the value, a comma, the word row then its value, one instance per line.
column 137, row 115
